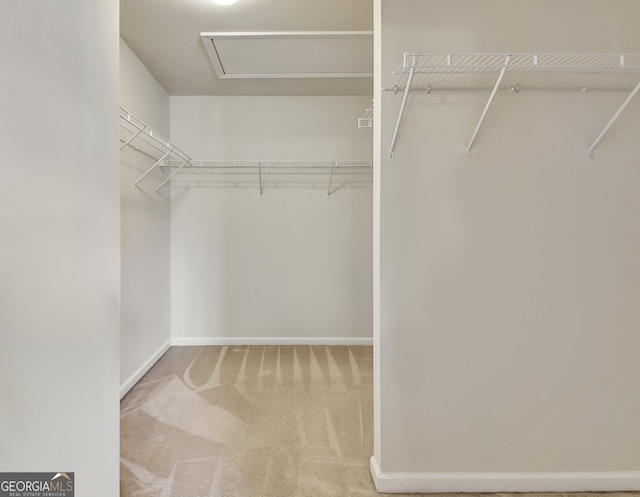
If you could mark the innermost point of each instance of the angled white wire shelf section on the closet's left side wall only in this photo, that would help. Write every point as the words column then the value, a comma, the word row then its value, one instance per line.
column 142, row 138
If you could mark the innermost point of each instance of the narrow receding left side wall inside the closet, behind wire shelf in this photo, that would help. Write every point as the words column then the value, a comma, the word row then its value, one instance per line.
column 145, row 314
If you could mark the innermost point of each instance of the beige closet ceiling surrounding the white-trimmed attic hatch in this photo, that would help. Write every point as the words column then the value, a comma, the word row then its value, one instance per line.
column 165, row 35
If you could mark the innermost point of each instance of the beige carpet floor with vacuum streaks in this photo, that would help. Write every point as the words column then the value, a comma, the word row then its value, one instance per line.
column 251, row 421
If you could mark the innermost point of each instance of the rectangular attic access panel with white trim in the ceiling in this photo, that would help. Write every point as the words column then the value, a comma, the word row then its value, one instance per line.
column 295, row 54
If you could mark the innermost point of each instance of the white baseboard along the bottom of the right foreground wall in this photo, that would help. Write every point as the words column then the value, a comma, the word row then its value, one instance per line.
column 613, row 481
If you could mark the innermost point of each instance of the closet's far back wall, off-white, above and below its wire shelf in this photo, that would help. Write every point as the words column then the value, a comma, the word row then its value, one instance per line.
column 293, row 263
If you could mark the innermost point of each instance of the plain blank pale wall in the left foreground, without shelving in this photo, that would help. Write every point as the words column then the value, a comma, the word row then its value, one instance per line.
column 59, row 255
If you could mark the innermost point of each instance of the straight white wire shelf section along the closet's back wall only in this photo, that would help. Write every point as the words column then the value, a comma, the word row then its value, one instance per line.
column 264, row 168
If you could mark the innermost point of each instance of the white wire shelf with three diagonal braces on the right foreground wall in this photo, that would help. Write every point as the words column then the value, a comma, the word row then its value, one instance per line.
column 514, row 72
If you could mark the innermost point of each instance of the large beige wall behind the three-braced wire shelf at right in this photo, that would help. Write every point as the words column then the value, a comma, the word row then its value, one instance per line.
column 509, row 279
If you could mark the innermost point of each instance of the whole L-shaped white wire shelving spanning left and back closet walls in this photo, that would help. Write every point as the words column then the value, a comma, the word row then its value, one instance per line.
column 175, row 160
